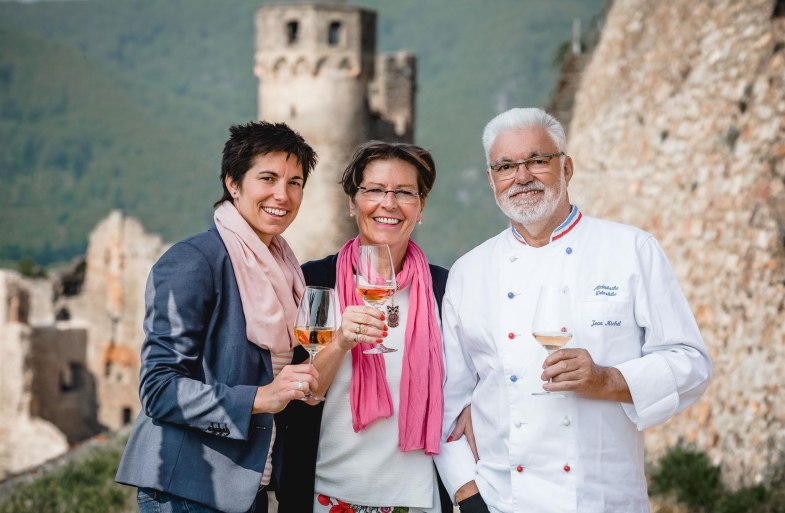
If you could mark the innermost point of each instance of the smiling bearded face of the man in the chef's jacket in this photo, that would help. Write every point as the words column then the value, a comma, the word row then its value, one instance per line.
column 531, row 199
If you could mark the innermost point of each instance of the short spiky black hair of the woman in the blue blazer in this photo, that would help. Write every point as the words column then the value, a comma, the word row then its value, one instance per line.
column 259, row 138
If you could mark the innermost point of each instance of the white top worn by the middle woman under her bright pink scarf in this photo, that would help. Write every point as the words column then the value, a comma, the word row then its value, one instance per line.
column 367, row 468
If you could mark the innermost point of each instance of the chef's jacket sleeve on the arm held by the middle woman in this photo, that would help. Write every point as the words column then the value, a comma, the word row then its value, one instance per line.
column 455, row 460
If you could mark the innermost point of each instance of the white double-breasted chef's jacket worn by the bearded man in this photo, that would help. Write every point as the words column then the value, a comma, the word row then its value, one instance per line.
column 565, row 454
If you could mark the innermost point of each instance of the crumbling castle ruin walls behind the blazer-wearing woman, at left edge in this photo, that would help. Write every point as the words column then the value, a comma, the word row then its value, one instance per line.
column 71, row 346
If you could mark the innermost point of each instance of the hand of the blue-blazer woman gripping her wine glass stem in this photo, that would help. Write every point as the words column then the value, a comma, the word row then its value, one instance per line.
column 291, row 383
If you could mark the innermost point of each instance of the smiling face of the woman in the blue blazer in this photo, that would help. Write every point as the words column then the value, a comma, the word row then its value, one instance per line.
column 269, row 194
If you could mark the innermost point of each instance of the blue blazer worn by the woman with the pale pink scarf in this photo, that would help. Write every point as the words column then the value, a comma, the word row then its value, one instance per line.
column 195, row 436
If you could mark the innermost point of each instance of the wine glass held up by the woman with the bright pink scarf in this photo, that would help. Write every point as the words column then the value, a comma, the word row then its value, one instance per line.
column 375, row 281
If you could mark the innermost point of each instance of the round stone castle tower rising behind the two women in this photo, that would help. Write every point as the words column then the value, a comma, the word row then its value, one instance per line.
column 319, row 73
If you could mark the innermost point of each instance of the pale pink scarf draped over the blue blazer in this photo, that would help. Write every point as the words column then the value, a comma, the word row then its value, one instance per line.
column 270, row 280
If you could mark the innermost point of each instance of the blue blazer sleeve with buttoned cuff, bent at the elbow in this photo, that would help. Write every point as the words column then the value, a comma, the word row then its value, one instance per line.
column 179, row 303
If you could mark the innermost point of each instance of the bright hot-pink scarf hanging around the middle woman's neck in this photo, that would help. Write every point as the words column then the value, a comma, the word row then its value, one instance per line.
column 422, row 404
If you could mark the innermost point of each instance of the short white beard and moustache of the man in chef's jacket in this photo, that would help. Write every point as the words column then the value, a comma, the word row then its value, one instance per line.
column 525, row 211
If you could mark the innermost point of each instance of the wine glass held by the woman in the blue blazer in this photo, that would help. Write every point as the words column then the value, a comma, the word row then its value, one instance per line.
column 316, row 324
